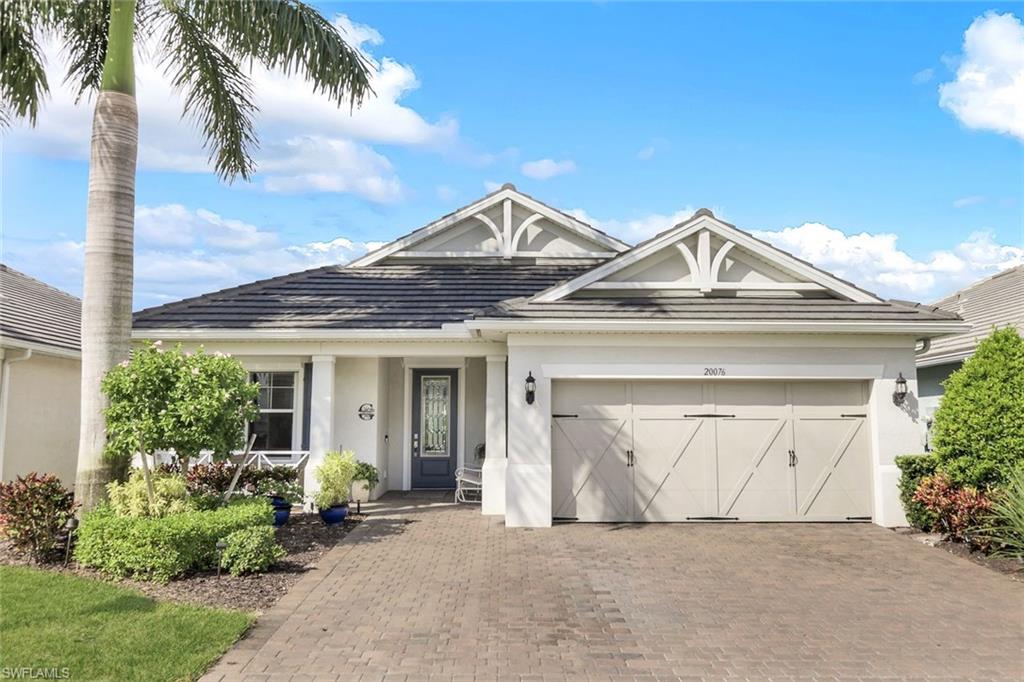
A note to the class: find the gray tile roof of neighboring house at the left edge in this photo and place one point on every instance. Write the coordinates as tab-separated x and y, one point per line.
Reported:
36	315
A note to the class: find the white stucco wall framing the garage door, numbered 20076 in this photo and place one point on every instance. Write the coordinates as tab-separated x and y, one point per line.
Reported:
895	431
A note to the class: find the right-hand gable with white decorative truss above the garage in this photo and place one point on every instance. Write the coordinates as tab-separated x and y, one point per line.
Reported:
705	257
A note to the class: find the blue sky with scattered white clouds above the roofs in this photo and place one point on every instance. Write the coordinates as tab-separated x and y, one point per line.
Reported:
881	142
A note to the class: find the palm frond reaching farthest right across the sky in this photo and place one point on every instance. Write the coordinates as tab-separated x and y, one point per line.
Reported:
289	36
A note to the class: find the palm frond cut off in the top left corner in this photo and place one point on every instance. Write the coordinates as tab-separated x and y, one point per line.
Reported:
23	76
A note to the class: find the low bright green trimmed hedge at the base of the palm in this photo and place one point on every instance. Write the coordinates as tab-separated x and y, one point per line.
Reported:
160	549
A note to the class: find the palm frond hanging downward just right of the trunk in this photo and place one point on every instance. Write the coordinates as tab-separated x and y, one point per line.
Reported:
219	95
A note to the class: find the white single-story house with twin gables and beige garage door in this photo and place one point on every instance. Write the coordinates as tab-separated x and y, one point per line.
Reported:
703	374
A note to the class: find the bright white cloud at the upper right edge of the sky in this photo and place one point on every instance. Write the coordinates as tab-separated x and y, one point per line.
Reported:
989	93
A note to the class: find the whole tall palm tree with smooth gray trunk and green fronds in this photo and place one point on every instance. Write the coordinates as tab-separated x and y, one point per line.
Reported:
205	47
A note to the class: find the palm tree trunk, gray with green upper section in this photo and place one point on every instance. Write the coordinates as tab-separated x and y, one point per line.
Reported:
107	292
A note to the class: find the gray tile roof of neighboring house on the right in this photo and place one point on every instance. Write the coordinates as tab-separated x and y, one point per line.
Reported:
995	303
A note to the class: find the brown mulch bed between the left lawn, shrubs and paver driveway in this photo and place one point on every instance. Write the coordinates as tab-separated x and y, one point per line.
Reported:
306	539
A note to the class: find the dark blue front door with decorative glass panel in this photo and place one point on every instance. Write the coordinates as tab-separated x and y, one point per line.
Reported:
436	397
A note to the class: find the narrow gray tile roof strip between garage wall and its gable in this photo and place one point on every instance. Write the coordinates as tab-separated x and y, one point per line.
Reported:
696	308
